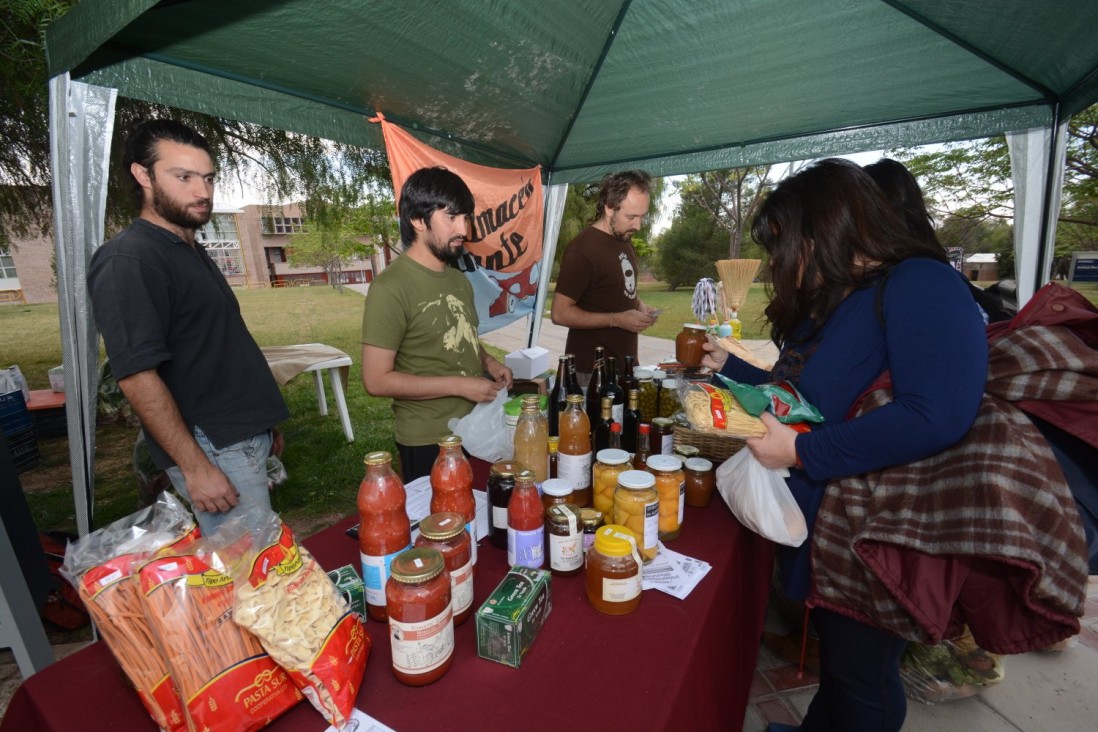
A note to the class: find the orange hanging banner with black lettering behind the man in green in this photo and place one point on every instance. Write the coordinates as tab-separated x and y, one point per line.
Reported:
508	224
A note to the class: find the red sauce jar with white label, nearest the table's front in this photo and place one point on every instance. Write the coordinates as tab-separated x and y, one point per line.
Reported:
421	621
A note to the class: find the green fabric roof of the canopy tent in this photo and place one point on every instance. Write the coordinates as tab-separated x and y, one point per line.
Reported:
586	87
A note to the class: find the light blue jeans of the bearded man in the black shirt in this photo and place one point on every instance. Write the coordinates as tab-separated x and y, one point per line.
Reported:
244	465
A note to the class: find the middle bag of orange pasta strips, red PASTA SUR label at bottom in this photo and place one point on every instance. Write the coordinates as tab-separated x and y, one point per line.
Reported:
228	682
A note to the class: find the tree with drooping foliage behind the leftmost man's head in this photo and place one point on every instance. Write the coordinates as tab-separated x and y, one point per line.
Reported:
284	165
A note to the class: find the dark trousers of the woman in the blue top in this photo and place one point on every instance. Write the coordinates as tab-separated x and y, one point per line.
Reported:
860	686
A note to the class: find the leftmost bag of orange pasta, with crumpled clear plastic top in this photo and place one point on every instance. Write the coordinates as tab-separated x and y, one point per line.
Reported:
102	566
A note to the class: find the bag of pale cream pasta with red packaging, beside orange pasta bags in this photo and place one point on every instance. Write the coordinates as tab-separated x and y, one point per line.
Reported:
289	602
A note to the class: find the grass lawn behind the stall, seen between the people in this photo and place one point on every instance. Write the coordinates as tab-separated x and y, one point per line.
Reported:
324	470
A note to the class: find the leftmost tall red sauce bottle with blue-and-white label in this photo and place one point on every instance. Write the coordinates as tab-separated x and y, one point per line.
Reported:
384	530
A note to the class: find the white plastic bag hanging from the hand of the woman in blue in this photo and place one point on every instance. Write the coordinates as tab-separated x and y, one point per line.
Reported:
760	500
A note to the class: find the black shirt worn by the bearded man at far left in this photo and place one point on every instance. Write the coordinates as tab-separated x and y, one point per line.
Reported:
163	305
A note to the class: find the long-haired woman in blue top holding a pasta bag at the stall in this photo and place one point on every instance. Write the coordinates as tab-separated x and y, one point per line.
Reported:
854	295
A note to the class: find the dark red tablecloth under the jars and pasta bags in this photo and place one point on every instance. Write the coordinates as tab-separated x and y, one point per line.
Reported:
671	665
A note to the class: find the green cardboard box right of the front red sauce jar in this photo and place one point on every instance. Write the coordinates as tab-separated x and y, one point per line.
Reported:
513	615
